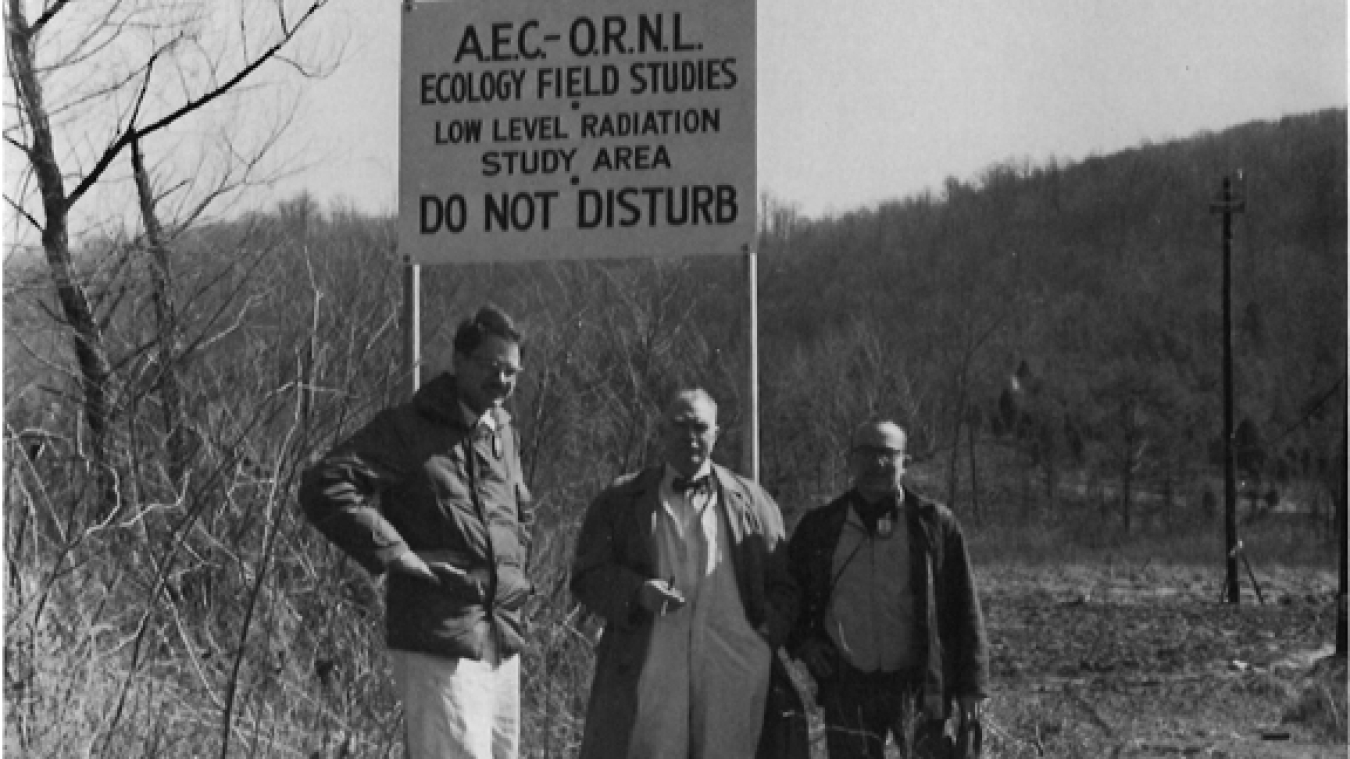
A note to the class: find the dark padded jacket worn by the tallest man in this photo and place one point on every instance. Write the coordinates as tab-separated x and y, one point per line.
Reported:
419	477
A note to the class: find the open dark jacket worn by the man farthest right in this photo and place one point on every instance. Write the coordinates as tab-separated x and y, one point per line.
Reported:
954	656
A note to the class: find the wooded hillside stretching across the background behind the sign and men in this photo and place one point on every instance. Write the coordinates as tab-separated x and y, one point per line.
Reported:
1036	321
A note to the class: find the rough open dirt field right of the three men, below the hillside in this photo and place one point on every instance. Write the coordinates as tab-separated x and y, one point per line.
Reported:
1144	661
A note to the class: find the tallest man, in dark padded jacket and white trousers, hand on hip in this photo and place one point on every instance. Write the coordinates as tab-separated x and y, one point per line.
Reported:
431	494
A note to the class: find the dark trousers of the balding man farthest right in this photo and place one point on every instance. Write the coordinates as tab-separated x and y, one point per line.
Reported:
862	710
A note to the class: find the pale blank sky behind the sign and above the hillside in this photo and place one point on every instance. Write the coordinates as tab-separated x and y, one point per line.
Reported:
867	101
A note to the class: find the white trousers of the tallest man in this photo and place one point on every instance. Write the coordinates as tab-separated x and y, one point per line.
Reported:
460	708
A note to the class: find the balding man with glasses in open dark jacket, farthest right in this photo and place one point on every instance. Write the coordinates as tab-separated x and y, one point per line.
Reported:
890	626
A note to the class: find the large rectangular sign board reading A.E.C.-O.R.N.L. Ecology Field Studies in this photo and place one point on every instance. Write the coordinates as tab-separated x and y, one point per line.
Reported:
595	129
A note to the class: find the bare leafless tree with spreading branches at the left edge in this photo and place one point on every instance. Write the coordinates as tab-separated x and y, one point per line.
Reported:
92	82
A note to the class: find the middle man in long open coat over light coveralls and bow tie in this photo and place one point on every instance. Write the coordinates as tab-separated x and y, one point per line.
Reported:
685	561
